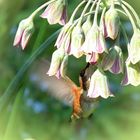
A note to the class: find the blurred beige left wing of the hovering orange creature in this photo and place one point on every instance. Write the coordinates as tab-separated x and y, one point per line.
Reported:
57	88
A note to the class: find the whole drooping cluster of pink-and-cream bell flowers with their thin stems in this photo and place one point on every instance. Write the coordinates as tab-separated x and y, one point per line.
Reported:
86	35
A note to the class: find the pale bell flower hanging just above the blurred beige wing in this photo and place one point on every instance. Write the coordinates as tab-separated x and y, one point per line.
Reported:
58	63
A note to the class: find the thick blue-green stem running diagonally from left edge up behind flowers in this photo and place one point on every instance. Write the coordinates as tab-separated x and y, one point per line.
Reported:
17	81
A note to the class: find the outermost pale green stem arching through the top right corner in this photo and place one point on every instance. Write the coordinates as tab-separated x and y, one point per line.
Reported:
133	11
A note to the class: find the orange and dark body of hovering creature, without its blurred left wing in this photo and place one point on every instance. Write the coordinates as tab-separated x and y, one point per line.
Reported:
83	106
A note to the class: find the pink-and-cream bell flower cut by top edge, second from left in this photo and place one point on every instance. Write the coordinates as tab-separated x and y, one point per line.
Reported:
56	12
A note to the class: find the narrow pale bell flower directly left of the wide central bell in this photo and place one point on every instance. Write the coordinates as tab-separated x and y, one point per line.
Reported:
77	40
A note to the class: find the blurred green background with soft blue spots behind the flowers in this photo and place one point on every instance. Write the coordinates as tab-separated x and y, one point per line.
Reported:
32	113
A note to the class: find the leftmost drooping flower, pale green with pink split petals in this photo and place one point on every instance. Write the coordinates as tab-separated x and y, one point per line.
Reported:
24	32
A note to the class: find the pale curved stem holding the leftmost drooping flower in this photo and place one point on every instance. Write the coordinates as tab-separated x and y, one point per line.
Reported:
40	8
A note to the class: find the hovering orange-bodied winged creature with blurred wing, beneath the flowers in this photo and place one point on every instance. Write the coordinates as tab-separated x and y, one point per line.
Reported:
69	93
